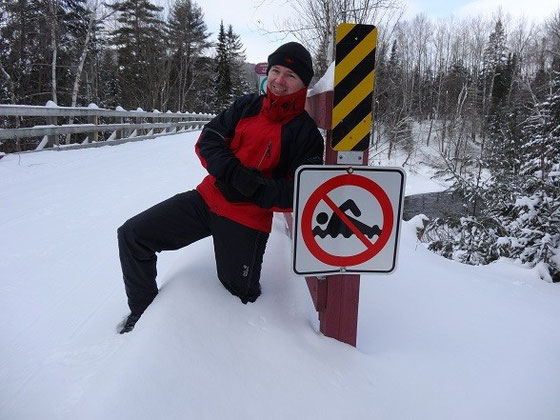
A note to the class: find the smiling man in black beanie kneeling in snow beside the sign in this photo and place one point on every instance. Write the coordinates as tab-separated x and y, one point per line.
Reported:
251	152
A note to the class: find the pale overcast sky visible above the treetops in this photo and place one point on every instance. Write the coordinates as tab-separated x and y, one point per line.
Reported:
247	16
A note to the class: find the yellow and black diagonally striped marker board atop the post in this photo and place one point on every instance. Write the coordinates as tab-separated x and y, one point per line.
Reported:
353	86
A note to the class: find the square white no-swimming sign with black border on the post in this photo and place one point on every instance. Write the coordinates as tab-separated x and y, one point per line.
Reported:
347	219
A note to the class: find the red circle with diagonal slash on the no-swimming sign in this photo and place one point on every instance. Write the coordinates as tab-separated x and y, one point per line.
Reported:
321	194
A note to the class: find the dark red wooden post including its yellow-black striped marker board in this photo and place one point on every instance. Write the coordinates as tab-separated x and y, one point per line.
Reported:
336	297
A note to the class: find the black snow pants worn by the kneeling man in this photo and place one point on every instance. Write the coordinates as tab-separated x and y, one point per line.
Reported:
175	223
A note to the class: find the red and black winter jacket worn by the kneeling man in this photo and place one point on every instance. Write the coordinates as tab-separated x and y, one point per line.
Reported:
273	134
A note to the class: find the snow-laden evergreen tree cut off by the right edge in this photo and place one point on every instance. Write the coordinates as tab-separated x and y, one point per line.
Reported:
534	220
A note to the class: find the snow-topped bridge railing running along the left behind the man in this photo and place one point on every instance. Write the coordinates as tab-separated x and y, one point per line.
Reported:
103	127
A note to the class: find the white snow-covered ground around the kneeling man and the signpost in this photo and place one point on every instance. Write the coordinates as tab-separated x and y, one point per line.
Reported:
436	339
